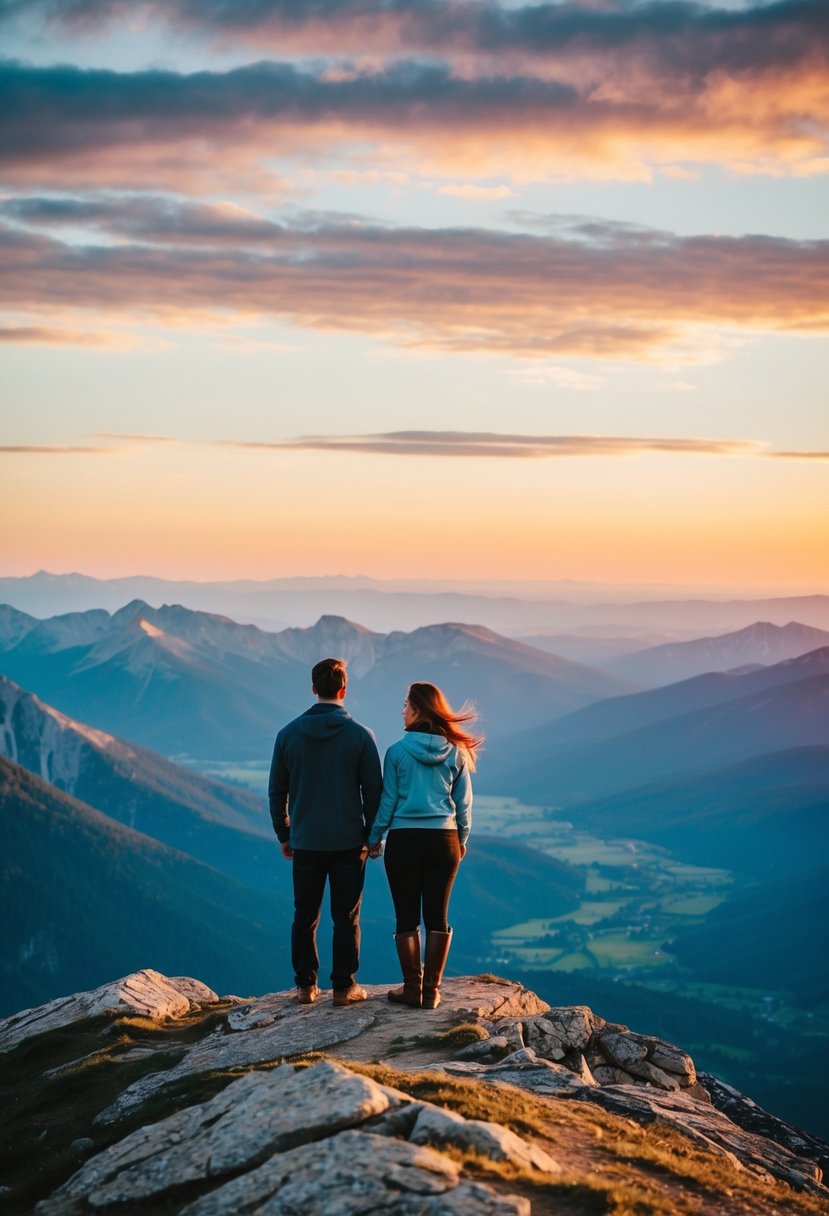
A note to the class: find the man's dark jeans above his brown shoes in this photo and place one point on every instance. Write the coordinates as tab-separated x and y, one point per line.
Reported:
346	871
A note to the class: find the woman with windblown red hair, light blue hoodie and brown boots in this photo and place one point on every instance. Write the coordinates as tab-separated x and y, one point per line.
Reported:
426	809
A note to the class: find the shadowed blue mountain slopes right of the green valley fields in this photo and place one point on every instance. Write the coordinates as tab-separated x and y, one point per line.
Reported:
729	770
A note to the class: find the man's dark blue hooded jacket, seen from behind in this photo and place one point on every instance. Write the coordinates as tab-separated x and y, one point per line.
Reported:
326	781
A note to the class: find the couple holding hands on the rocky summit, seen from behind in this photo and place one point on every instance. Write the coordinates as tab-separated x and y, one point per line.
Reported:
331	809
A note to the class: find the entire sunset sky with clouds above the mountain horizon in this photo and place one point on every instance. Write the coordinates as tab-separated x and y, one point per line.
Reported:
437	289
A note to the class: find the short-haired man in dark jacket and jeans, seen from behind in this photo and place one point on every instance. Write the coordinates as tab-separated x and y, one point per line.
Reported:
324	793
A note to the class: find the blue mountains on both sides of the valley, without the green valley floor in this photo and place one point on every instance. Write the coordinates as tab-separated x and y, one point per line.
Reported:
726	769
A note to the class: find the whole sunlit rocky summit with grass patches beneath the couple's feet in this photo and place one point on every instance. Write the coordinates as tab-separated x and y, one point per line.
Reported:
213	1107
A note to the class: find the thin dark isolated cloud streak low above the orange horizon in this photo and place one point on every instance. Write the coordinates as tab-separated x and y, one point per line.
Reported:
488	444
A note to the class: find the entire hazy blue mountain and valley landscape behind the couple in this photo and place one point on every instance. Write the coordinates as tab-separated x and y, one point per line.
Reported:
673	864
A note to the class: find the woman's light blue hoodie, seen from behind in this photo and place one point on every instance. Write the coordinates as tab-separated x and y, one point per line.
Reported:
426	785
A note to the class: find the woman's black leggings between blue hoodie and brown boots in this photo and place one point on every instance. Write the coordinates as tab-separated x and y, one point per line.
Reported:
421	865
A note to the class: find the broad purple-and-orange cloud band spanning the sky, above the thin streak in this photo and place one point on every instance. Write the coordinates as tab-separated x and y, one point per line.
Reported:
576	289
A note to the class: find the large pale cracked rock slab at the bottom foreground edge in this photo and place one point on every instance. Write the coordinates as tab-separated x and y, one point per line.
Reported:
284	1138
